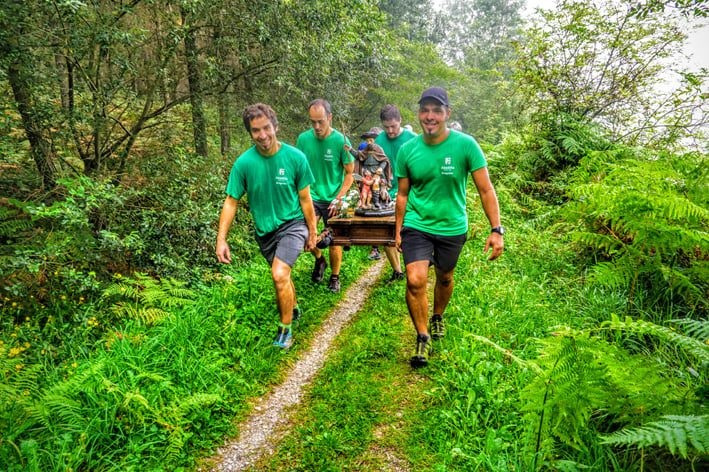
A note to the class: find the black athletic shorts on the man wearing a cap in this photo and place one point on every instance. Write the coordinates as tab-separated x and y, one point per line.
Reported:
441	251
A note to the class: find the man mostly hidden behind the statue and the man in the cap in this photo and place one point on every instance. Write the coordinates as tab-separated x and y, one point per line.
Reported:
391	140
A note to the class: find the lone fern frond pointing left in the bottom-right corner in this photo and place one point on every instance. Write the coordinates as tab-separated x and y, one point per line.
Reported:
679	434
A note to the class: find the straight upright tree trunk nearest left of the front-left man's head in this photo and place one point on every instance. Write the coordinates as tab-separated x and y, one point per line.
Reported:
195	85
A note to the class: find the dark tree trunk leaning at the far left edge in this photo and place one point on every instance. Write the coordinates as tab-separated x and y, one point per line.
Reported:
40	147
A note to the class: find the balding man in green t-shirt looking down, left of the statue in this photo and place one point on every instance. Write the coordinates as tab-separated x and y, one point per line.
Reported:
332	166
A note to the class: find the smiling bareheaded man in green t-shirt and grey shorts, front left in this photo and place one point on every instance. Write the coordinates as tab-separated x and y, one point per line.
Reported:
276	179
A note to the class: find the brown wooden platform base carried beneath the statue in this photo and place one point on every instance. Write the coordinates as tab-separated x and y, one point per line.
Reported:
362	231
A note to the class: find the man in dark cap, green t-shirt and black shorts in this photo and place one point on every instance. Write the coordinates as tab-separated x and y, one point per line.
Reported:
431	218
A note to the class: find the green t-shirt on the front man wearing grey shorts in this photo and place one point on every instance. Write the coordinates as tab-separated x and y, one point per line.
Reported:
271	184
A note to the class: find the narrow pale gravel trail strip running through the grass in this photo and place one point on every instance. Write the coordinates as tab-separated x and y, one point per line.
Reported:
271	416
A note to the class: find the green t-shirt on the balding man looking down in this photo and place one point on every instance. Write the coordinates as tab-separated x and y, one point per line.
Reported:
327	158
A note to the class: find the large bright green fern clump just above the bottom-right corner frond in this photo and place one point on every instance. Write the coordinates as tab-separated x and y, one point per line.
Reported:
584	378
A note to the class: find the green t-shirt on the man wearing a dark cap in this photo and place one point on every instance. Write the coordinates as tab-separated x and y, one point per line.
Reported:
437	177
